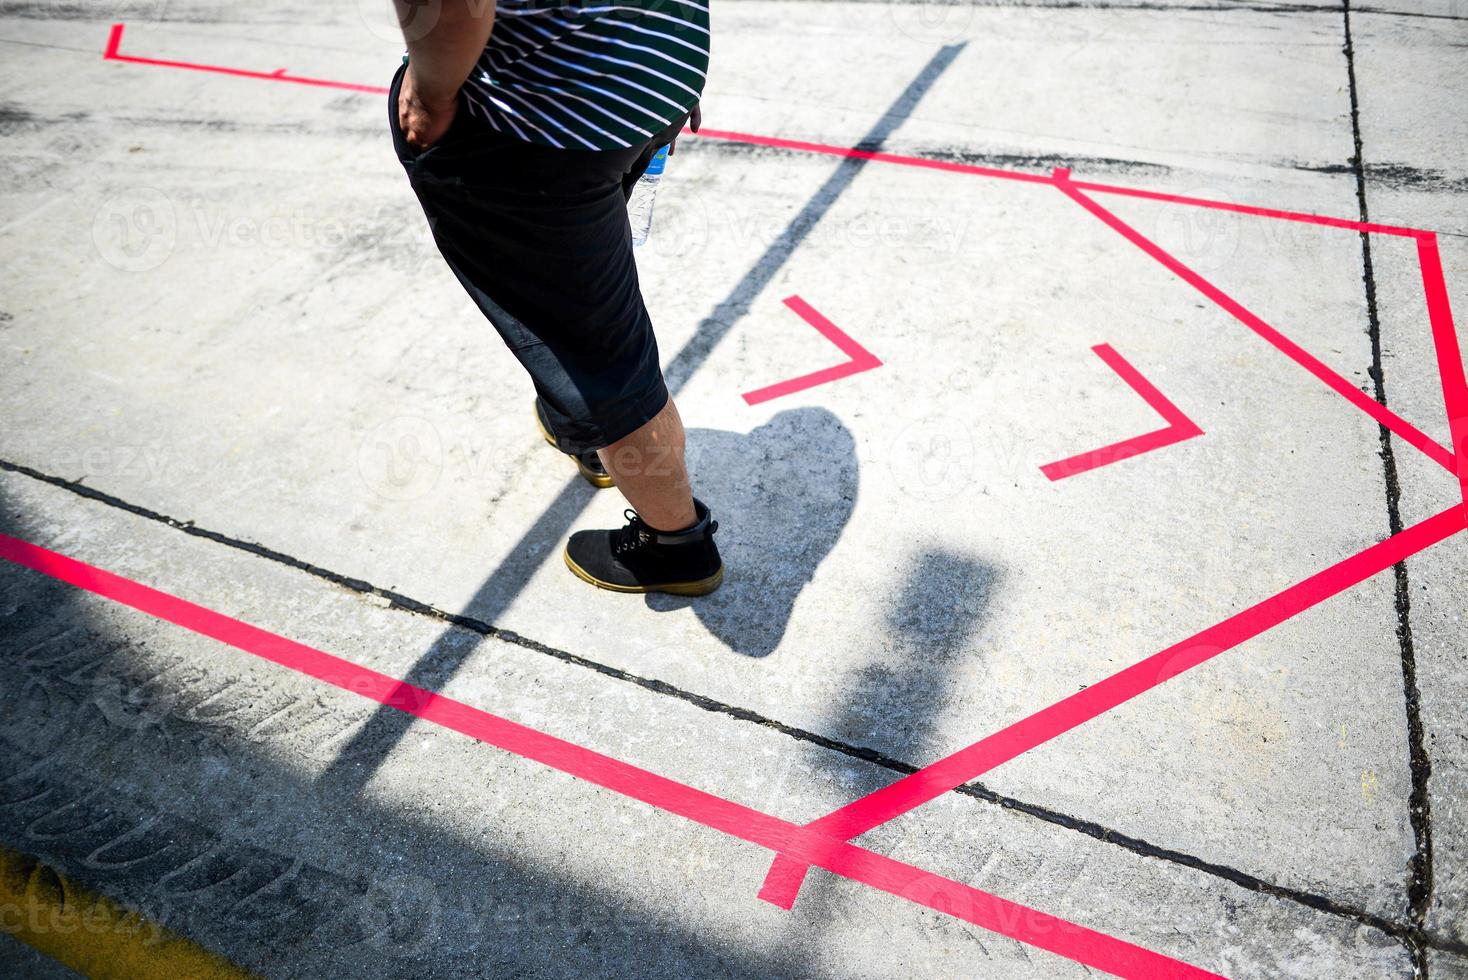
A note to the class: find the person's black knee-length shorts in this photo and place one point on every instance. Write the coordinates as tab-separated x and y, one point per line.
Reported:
541	241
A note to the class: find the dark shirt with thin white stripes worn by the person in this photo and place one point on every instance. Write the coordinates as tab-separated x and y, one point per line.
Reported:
591	74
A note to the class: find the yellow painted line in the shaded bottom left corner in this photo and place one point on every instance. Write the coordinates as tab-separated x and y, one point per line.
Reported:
92	934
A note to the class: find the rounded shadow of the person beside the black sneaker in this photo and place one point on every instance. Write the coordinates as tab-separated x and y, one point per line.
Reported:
786	492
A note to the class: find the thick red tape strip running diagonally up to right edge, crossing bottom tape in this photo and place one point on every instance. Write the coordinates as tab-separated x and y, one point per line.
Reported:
889	803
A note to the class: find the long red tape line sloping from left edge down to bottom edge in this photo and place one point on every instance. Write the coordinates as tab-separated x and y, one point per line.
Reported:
933	891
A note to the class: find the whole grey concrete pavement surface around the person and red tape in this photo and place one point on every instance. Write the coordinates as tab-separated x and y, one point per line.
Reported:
224	309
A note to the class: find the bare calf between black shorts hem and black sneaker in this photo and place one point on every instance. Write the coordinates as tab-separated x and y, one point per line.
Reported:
648	467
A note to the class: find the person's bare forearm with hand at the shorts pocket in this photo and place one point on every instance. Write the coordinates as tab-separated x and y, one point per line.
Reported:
446	39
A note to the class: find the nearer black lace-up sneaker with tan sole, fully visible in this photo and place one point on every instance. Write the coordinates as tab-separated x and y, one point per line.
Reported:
641	560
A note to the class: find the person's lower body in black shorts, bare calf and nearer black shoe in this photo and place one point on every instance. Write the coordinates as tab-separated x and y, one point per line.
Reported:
539	240
